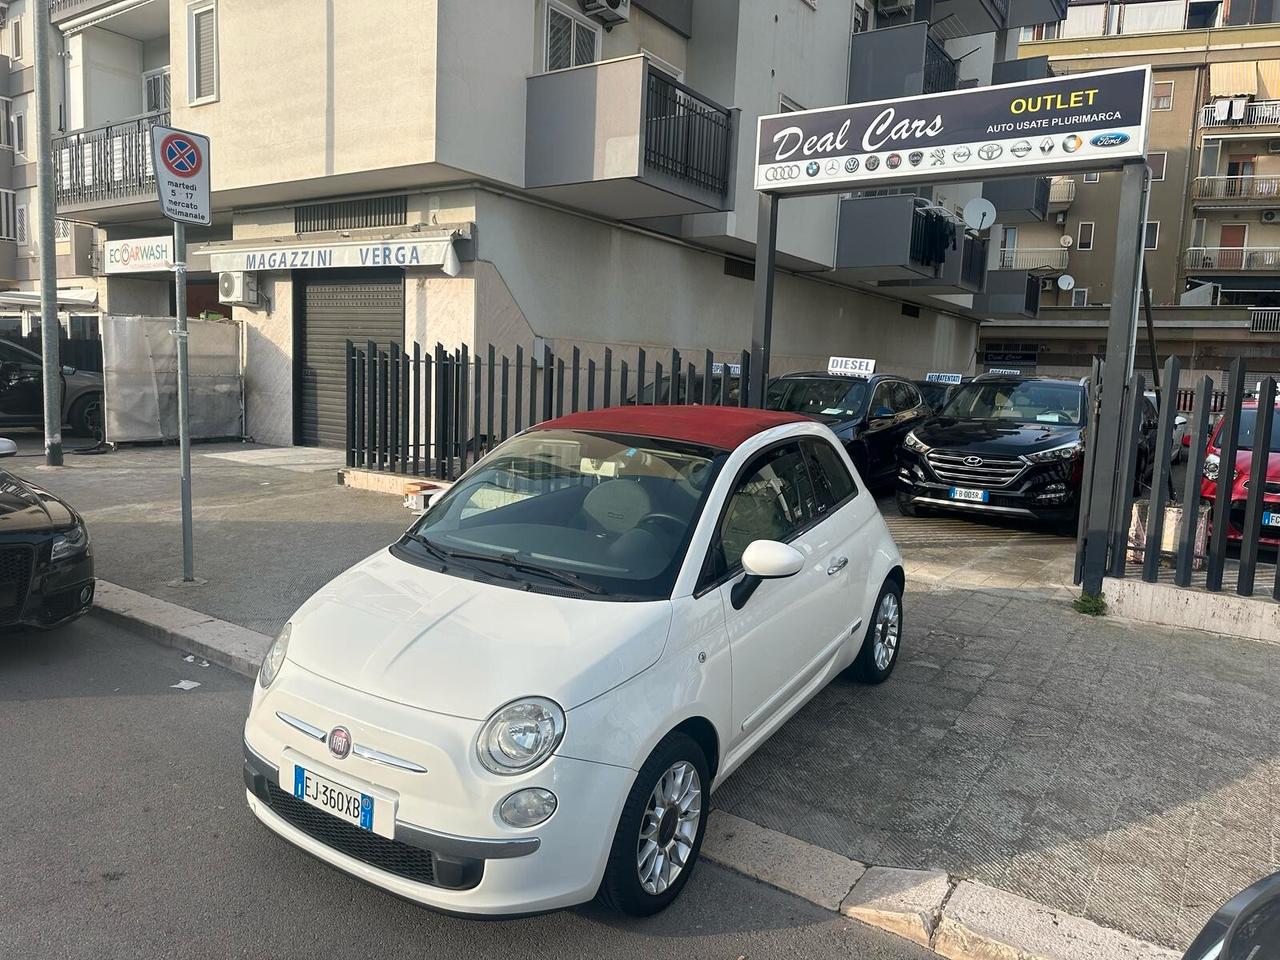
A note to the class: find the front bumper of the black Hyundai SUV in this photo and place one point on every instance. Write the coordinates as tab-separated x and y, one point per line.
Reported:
1041	491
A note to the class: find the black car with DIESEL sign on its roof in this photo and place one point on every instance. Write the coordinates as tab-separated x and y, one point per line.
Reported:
871	415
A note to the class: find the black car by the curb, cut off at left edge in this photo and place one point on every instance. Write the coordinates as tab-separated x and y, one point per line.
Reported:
47	565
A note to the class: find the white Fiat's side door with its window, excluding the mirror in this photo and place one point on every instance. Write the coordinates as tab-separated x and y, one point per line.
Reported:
787	630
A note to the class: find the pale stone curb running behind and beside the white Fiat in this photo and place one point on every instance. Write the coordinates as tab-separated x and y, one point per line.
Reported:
957	918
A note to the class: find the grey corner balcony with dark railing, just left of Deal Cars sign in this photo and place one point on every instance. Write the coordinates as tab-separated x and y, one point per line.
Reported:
627	141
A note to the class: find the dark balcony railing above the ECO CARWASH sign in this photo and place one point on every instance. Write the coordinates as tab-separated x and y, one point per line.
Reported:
107	164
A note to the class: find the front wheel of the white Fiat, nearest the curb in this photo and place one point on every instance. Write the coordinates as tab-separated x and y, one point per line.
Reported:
661	830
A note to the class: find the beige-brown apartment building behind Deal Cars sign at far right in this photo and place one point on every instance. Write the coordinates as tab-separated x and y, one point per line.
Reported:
1213	231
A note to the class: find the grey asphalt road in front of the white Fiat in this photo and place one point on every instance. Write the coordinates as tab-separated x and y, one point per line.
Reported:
129	838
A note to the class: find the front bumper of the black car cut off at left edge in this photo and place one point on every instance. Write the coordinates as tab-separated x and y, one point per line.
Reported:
36	593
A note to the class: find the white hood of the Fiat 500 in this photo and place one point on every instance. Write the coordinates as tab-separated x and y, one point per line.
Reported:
459	647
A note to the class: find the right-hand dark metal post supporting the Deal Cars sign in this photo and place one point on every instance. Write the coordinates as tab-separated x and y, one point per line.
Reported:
1122	341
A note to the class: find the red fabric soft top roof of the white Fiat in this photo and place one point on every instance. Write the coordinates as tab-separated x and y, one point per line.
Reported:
725	428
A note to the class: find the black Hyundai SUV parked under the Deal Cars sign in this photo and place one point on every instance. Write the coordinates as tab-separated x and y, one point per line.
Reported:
1007	446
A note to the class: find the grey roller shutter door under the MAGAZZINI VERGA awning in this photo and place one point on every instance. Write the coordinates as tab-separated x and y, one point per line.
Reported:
336	310
